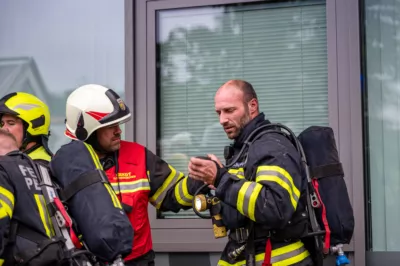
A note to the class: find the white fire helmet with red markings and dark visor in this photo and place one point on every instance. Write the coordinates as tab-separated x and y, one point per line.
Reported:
91	107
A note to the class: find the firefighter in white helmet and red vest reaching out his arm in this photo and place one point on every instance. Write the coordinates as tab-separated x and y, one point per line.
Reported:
93	115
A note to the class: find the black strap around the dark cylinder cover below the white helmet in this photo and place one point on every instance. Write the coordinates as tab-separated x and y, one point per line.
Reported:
83	181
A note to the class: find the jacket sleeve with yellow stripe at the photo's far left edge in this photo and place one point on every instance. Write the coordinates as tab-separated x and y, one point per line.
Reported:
6	207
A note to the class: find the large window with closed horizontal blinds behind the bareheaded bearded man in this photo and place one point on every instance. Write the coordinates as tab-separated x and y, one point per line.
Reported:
279	47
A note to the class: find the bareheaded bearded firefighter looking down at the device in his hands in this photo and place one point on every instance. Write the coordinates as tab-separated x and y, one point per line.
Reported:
262	193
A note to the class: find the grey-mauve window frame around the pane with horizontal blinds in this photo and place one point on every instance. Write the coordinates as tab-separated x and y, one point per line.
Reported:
344	107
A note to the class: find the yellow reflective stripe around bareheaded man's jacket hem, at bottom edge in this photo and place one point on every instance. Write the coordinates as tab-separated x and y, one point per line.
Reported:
287	255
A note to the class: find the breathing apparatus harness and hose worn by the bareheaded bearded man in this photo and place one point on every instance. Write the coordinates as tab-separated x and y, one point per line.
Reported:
201	201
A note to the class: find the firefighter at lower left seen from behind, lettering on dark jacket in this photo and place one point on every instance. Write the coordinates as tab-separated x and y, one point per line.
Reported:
26	231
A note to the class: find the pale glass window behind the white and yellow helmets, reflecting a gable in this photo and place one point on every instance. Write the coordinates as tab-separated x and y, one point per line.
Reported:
49	48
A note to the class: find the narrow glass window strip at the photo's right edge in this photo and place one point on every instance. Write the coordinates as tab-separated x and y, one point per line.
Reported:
382	102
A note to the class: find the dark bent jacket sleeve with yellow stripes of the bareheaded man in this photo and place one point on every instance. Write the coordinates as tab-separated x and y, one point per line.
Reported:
272	196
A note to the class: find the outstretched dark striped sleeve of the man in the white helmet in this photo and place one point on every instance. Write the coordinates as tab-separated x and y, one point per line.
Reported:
170	190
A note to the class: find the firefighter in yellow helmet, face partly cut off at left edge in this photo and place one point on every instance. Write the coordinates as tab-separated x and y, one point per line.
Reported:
28	119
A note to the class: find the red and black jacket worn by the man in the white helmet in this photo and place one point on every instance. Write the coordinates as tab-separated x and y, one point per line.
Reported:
140	177
